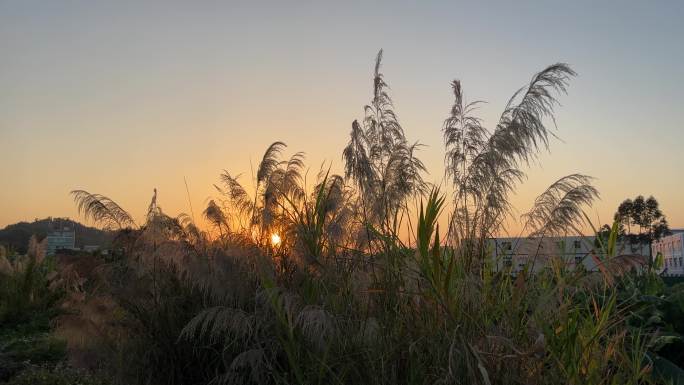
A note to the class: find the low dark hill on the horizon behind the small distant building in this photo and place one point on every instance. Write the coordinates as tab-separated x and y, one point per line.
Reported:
16	236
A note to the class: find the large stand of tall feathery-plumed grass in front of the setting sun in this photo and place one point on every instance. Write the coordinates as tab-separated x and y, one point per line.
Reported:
345	299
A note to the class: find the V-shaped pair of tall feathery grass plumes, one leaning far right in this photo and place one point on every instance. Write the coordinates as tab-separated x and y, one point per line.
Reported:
485	166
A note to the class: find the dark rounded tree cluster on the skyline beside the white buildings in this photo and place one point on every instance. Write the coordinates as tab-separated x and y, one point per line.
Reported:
641	220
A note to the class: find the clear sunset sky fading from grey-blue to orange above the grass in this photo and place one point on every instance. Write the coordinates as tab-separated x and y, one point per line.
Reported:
120	98
